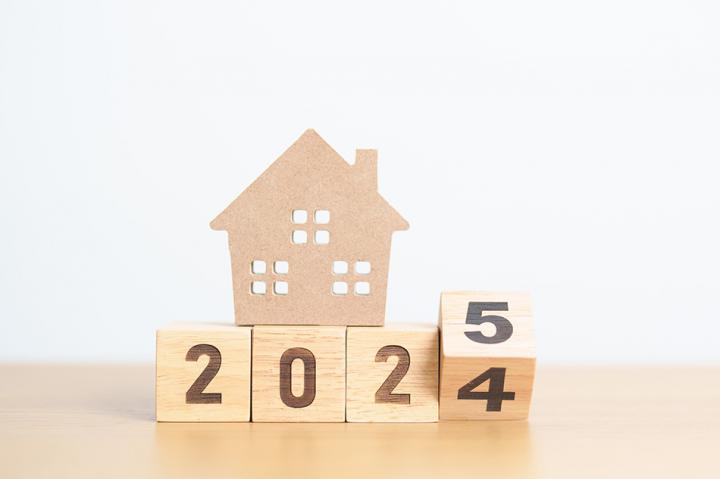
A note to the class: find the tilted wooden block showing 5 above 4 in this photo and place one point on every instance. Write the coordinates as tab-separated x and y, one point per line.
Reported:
487	361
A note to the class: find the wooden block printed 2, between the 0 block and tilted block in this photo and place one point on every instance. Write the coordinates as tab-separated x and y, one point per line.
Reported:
392	373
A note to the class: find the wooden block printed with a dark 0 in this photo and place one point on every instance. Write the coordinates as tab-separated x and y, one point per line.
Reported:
298	374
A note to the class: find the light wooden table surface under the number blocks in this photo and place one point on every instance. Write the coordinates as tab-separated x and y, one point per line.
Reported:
98	421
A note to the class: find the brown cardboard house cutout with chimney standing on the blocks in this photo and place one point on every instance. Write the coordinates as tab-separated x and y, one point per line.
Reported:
310	240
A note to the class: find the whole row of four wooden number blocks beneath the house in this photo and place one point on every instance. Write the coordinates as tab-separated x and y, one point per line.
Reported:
480	364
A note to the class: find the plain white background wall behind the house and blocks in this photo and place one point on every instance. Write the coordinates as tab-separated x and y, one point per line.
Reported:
566	148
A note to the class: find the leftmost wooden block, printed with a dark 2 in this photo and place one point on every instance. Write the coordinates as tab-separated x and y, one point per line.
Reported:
203	373
